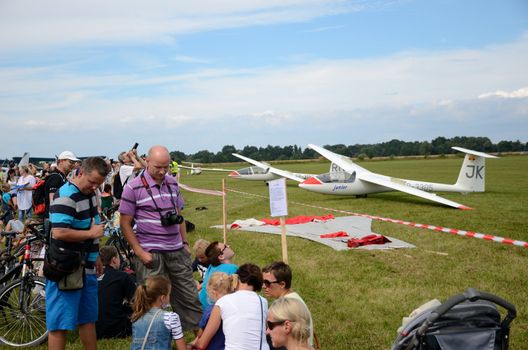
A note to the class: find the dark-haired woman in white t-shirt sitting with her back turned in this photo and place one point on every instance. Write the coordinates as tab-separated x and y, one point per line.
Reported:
242	314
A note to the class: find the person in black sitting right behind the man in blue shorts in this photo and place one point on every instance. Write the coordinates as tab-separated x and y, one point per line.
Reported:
115	292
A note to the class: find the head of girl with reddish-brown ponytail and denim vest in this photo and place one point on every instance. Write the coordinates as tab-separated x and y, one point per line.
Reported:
148	293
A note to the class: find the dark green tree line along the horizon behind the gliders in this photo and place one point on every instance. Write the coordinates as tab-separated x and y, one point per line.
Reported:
392	148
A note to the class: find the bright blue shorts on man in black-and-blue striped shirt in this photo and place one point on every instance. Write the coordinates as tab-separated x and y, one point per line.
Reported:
65	310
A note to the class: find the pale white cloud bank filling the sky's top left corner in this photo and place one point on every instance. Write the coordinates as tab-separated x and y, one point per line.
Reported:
30	24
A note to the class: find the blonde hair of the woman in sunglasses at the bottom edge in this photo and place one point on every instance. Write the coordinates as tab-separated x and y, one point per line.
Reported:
295	311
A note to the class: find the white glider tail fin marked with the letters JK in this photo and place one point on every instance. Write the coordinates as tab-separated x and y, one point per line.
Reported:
472	176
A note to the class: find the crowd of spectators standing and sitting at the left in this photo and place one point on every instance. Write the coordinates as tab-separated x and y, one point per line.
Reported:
222	307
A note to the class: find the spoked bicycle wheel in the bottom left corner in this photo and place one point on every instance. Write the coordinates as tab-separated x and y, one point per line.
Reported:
23	313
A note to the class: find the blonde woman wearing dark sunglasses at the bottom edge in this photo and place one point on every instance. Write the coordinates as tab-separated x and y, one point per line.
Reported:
288	324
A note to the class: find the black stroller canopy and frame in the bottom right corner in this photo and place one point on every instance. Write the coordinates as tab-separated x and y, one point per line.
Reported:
468	321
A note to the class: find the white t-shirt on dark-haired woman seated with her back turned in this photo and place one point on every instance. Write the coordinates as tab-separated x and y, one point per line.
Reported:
244	316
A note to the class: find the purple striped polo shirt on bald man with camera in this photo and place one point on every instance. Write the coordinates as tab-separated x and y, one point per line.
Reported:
136	202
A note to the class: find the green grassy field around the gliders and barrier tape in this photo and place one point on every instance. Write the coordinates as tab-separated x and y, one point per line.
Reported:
358	298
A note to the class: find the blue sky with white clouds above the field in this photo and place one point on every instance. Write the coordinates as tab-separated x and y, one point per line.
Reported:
94	77
